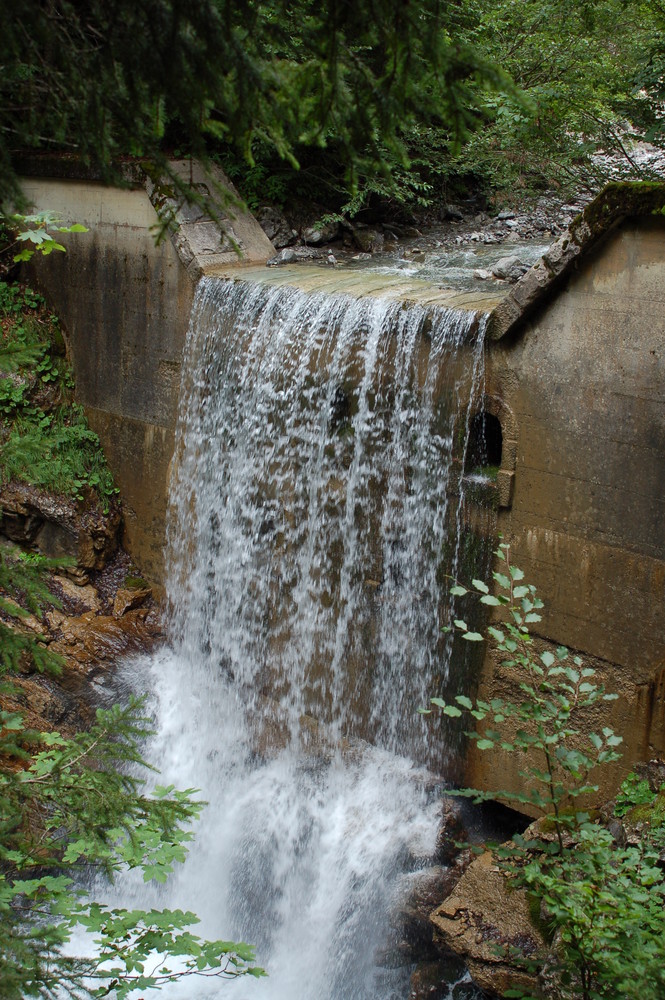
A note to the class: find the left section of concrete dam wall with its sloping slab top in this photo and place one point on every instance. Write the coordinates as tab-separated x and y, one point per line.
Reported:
125	302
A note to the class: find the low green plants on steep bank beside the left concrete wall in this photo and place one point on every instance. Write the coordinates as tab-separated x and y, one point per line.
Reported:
44	436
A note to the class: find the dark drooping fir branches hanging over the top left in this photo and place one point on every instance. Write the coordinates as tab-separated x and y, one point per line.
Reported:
105	80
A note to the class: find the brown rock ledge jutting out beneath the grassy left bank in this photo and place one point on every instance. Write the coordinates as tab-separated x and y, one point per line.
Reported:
59	526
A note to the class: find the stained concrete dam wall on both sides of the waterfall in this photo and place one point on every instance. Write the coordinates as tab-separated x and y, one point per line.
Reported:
575	379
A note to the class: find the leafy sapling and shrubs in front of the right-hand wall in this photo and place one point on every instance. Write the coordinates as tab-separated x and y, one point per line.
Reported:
602	903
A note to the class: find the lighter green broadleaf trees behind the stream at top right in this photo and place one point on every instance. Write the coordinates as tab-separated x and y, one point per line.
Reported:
587	79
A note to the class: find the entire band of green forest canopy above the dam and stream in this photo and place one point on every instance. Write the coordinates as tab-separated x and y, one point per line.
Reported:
337	98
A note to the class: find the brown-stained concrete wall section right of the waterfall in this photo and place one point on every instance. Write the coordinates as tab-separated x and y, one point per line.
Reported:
584	381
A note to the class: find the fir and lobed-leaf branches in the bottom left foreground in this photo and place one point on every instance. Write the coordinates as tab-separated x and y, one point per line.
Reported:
72	807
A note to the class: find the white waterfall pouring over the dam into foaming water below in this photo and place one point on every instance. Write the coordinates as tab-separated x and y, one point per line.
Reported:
315	511
